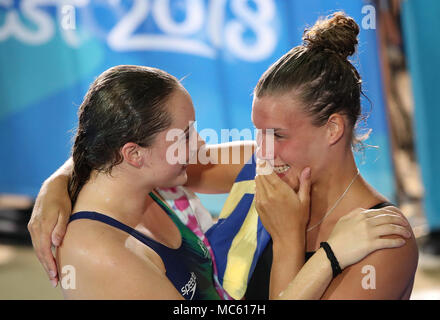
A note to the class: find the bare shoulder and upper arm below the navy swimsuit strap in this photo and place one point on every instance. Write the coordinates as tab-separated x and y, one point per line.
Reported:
96	259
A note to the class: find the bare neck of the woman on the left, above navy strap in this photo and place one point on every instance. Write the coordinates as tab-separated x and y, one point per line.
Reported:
115	195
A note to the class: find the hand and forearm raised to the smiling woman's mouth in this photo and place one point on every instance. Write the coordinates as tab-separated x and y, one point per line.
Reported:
286	222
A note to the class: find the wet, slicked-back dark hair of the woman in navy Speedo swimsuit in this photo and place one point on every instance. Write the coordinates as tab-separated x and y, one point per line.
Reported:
124	104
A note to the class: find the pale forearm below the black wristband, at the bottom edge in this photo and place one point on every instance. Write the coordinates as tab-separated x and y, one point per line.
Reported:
311	281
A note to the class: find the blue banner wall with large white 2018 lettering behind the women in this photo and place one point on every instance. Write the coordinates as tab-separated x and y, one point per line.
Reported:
221	47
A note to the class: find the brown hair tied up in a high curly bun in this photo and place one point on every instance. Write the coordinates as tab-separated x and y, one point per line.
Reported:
319	73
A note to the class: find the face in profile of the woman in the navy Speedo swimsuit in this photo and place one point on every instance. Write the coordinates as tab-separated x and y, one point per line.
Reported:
167	158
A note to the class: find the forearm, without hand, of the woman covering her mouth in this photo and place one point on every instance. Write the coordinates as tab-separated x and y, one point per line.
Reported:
288	259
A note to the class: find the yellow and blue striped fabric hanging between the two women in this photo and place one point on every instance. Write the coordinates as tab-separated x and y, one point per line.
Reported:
238	238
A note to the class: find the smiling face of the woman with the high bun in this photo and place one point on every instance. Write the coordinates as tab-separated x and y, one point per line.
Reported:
297	143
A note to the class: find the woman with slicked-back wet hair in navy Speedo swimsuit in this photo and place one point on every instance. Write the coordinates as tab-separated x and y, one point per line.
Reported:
119	159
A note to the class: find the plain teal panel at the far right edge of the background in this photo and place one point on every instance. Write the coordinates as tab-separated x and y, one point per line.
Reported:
421	27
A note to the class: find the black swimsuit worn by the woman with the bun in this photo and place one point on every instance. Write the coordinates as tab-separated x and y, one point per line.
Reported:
258	286
